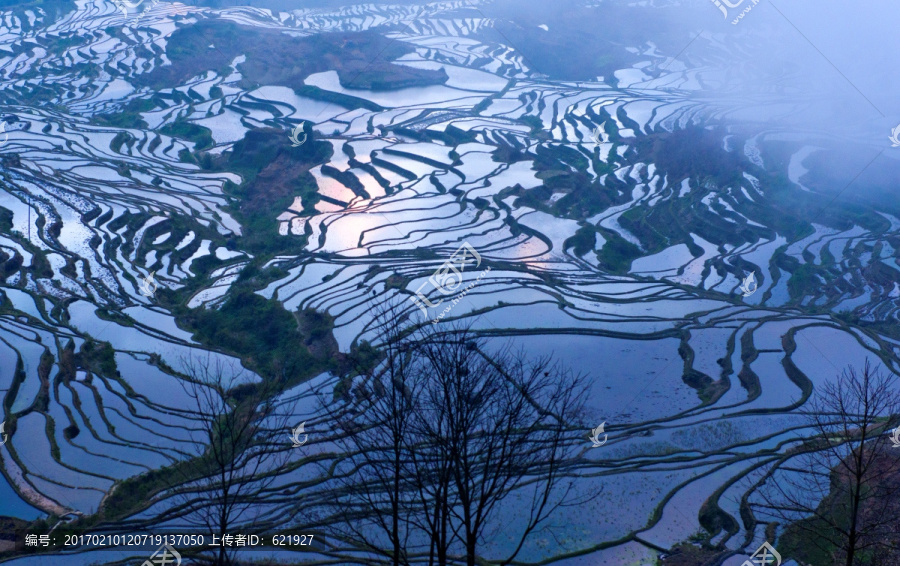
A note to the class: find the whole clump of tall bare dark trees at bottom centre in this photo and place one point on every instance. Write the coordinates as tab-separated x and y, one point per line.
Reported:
445	431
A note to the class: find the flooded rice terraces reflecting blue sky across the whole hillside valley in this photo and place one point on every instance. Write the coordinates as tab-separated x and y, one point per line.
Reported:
700	386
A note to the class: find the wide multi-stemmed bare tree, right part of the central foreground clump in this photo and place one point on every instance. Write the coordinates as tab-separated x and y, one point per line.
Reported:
500	423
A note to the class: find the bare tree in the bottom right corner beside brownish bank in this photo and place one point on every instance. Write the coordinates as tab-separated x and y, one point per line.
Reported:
841	487
